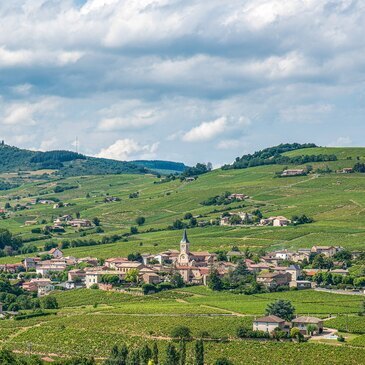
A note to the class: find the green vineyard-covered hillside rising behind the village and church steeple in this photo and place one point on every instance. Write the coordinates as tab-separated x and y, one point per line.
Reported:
335	201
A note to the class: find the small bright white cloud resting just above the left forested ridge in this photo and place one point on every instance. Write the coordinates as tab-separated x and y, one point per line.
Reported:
128	149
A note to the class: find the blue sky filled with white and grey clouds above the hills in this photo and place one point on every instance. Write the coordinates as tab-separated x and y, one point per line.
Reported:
181	80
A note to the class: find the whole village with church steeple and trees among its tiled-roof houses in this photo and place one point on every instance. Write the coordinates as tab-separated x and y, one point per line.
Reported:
274	271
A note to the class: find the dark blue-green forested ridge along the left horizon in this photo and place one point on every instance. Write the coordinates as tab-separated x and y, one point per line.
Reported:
68	163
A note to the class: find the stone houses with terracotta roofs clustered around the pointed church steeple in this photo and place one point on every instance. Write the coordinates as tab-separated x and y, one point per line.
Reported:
194	267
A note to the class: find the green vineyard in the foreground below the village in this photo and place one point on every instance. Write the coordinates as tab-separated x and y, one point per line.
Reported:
92	321
